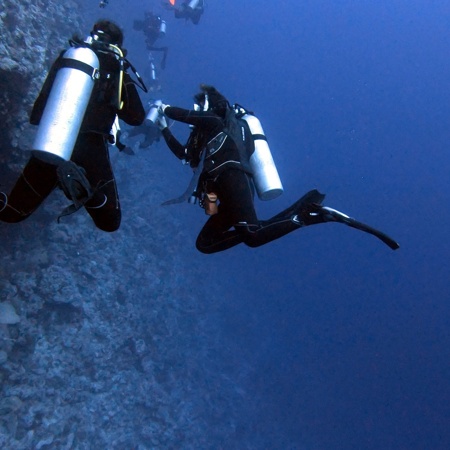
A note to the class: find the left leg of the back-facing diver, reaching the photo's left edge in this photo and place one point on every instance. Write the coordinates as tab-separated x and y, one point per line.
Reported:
35	183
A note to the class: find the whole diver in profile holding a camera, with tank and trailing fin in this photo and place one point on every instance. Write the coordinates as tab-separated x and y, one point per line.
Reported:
225	178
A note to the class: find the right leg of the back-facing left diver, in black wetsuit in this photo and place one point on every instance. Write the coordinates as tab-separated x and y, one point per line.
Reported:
91	152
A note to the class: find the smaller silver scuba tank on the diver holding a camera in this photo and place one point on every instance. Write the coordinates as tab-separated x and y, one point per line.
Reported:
265	174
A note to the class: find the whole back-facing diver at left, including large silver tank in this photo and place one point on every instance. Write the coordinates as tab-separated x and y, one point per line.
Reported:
86	90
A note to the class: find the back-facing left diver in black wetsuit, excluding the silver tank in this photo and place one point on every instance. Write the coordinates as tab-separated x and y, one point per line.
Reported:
87	178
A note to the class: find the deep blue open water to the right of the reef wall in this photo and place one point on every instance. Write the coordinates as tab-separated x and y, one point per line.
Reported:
348	341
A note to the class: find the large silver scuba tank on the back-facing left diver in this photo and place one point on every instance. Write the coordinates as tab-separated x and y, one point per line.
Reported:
66	105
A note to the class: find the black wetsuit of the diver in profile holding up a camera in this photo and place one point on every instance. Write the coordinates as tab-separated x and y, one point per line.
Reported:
228	175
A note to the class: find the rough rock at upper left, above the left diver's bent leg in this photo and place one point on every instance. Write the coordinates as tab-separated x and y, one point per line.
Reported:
33	33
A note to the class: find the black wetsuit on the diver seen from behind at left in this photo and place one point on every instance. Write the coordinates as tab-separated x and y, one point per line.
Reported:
90	152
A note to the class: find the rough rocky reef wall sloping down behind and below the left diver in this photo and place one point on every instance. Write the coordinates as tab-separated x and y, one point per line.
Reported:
116	346
